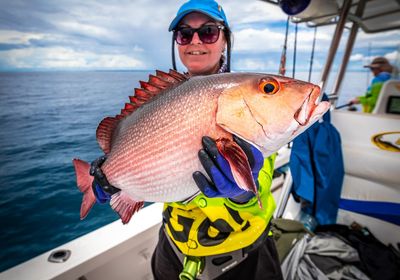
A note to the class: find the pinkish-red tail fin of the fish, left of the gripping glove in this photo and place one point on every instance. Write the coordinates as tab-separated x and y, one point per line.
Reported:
84	182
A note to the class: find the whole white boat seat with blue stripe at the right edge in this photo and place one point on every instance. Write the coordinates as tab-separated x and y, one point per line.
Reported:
371	188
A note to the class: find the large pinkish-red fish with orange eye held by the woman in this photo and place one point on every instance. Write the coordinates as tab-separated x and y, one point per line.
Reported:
152	145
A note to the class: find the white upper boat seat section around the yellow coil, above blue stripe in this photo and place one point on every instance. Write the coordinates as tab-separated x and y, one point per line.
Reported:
361	157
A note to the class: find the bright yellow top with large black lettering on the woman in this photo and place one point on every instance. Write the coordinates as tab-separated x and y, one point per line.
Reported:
210	226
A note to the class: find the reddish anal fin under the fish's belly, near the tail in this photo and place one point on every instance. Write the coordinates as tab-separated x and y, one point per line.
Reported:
125	206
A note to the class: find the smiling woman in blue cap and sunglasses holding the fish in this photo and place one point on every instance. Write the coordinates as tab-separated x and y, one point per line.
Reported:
222	233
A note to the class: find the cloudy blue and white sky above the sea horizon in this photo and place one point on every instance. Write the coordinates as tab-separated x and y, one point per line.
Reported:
133	35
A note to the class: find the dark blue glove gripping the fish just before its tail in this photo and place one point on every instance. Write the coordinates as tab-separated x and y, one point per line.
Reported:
101	187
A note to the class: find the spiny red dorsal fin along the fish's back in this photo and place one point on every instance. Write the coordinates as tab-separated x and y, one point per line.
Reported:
158	83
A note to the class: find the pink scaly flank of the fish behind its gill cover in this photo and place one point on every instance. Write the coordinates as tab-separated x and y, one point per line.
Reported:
147	136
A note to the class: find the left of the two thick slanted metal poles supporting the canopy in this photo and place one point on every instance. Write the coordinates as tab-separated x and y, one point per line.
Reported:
335	43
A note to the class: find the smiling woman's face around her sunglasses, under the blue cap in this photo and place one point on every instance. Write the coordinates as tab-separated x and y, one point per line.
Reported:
198	57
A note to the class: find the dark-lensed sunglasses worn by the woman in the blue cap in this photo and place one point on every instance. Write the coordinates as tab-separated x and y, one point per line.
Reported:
208	34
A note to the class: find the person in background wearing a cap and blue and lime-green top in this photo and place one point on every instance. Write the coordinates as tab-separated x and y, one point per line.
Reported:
382	71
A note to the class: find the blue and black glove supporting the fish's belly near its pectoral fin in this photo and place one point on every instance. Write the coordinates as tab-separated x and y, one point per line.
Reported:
222	183
